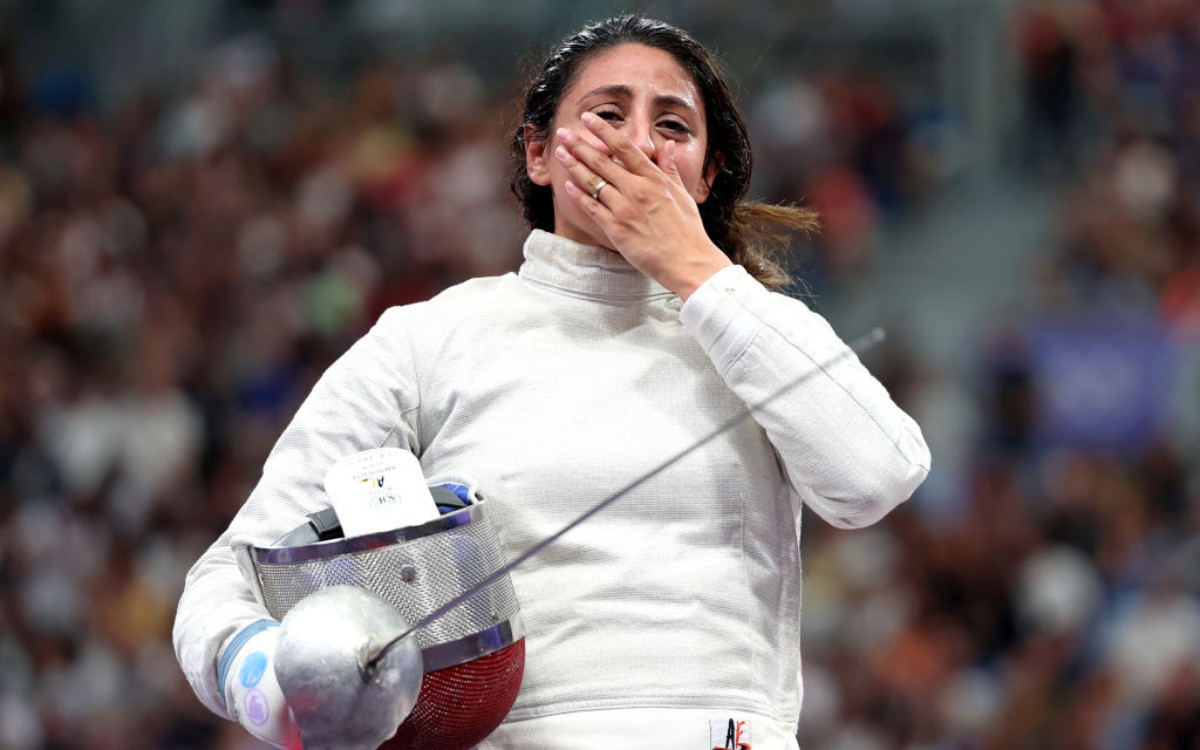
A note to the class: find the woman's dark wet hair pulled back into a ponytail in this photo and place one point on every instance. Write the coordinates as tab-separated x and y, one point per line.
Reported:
743	231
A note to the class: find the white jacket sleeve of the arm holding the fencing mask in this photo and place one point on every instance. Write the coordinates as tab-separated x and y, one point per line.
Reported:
368	399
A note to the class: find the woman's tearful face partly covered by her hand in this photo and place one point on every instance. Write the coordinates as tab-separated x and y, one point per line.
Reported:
646	95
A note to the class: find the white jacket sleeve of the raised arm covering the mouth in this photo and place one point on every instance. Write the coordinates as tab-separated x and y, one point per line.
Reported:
850	453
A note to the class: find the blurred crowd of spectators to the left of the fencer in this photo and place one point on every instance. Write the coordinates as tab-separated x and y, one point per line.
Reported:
175	279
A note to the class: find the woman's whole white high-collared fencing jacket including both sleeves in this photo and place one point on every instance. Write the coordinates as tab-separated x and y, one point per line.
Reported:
554	388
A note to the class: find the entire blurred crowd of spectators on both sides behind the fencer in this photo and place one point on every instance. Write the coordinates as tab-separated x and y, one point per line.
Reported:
178	271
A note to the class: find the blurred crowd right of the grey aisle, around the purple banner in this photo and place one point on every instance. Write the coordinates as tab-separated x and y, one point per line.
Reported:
1054	602
